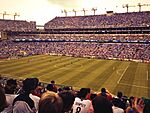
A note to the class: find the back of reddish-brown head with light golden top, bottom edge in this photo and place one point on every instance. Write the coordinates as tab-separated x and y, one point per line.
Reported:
50	102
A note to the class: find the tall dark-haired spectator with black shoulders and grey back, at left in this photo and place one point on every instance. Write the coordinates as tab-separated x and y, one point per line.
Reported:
23	102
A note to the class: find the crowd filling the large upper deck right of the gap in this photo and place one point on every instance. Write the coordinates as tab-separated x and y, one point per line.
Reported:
133	19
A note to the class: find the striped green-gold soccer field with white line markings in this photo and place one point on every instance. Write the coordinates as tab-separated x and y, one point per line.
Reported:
132	78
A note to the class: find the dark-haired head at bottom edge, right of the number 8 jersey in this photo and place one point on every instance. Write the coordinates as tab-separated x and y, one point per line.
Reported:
101	105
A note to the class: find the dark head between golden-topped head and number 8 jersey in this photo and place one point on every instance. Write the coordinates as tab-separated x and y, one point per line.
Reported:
68	100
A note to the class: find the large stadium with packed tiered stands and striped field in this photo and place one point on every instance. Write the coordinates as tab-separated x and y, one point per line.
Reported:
109	51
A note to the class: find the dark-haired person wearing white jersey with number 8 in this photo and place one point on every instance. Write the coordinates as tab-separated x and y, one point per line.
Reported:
81	104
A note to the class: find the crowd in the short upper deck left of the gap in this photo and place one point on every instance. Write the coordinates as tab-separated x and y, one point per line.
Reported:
17	25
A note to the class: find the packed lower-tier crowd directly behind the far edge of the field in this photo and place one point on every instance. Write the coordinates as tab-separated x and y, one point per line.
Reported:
130	51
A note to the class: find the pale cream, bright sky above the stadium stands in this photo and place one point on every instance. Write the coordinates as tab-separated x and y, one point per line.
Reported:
43	11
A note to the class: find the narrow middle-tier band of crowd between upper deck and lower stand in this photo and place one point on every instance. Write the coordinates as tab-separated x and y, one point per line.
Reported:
80	37
